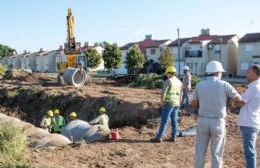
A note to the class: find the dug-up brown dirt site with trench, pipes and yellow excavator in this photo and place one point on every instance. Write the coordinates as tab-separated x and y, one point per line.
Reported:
134	111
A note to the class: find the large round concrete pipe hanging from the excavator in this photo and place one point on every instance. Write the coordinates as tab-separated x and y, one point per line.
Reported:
73	76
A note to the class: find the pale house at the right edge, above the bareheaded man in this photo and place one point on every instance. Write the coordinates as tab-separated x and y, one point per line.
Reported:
248	52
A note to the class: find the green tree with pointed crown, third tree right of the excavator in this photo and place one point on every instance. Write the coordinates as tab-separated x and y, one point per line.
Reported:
135	58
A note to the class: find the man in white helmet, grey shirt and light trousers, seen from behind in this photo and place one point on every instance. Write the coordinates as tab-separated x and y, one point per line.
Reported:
211	97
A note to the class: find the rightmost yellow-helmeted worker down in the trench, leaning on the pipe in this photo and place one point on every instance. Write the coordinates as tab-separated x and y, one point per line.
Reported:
102	120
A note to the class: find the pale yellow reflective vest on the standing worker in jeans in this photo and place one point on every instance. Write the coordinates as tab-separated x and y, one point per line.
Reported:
174	92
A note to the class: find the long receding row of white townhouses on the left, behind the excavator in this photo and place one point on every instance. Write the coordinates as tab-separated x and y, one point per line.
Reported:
44	61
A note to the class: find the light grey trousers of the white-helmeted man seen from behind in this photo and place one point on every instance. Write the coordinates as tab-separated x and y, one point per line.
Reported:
213	130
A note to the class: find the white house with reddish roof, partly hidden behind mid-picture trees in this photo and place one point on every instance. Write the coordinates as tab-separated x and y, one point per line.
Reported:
150	48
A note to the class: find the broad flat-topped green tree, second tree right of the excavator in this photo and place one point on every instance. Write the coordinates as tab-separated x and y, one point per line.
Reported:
111	56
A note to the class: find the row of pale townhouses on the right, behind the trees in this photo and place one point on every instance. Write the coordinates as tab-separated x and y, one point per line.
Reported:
235	54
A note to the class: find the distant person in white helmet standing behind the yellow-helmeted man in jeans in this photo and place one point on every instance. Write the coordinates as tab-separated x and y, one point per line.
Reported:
186	84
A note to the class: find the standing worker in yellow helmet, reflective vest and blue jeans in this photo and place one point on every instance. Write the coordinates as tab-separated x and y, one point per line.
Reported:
170	99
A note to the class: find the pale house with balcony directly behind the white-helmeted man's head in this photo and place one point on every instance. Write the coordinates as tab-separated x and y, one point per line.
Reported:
197	51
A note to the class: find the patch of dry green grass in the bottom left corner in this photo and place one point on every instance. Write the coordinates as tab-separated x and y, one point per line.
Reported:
13	147
